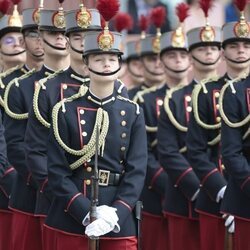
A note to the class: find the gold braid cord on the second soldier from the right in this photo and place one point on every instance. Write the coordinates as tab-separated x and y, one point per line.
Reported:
195	96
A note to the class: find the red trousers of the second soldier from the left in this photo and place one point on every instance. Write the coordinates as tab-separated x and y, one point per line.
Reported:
26	232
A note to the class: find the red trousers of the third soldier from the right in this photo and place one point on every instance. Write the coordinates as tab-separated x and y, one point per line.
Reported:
183	233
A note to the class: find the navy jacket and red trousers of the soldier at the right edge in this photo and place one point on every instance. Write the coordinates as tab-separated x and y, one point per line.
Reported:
235	152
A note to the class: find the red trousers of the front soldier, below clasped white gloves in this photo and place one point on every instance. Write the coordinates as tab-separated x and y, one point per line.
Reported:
56	240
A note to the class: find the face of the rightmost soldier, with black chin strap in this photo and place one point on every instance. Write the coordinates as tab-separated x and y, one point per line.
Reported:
237	51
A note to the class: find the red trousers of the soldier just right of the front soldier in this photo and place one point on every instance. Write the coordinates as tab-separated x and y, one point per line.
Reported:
154	232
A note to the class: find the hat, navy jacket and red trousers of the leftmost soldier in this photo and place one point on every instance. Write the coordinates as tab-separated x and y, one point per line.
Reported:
8	173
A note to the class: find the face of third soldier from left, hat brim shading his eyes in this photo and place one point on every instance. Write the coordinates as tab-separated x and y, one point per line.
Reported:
56	39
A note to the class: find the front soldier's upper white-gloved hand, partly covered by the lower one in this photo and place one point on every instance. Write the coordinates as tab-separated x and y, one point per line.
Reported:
104	212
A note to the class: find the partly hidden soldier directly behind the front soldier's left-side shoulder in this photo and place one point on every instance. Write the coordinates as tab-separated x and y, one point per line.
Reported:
51	91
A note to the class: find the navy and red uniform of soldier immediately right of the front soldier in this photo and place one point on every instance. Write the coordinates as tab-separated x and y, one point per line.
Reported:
151	100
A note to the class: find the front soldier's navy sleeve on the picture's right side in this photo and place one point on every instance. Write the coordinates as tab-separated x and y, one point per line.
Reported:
135	170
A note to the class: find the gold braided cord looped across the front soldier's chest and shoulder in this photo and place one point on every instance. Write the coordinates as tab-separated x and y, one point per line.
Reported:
88	150
